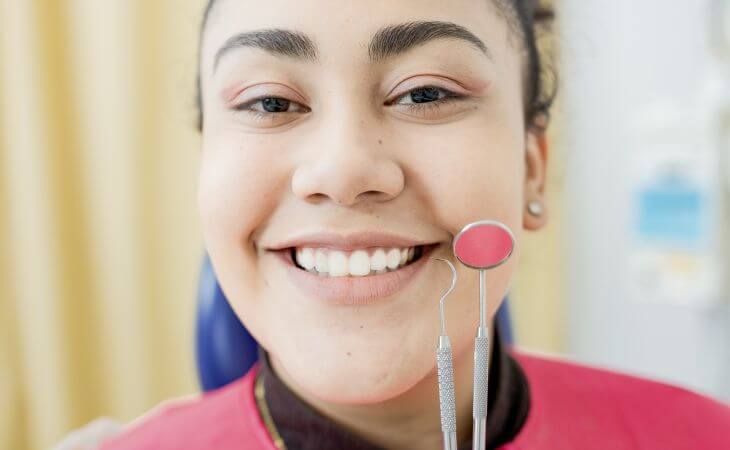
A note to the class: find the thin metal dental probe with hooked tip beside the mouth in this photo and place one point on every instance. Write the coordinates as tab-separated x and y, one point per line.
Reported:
447	397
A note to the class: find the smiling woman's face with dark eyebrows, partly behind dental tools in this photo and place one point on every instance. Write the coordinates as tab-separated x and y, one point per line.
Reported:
377	126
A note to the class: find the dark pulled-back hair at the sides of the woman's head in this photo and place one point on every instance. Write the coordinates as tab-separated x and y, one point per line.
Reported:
527	18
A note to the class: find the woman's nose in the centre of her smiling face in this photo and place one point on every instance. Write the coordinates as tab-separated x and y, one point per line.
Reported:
348	165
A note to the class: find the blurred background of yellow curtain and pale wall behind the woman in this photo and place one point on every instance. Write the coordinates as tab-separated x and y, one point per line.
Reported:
100	248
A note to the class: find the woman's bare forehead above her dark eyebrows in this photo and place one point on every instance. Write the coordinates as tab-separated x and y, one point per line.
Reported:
345	31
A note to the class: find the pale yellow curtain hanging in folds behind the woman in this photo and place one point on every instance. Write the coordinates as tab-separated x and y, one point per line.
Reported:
99	238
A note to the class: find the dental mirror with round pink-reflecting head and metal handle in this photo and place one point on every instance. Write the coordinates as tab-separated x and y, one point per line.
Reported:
482	245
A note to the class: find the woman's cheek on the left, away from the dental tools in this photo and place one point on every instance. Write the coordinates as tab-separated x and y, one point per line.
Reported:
239	185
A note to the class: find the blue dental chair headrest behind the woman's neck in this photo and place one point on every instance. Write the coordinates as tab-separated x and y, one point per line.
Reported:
225	350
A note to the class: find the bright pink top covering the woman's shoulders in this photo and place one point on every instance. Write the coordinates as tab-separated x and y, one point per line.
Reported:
572	406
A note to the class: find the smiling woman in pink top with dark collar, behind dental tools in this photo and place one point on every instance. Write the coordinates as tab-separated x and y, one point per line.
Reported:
334	133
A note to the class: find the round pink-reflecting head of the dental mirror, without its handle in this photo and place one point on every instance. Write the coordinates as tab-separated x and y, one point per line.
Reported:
484	244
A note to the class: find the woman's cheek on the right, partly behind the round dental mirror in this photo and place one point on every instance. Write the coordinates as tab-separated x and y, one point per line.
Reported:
477	175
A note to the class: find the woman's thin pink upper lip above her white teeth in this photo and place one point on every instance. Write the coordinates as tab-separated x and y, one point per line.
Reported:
348	242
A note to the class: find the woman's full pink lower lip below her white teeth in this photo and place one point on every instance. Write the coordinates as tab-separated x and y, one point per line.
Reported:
350	290
